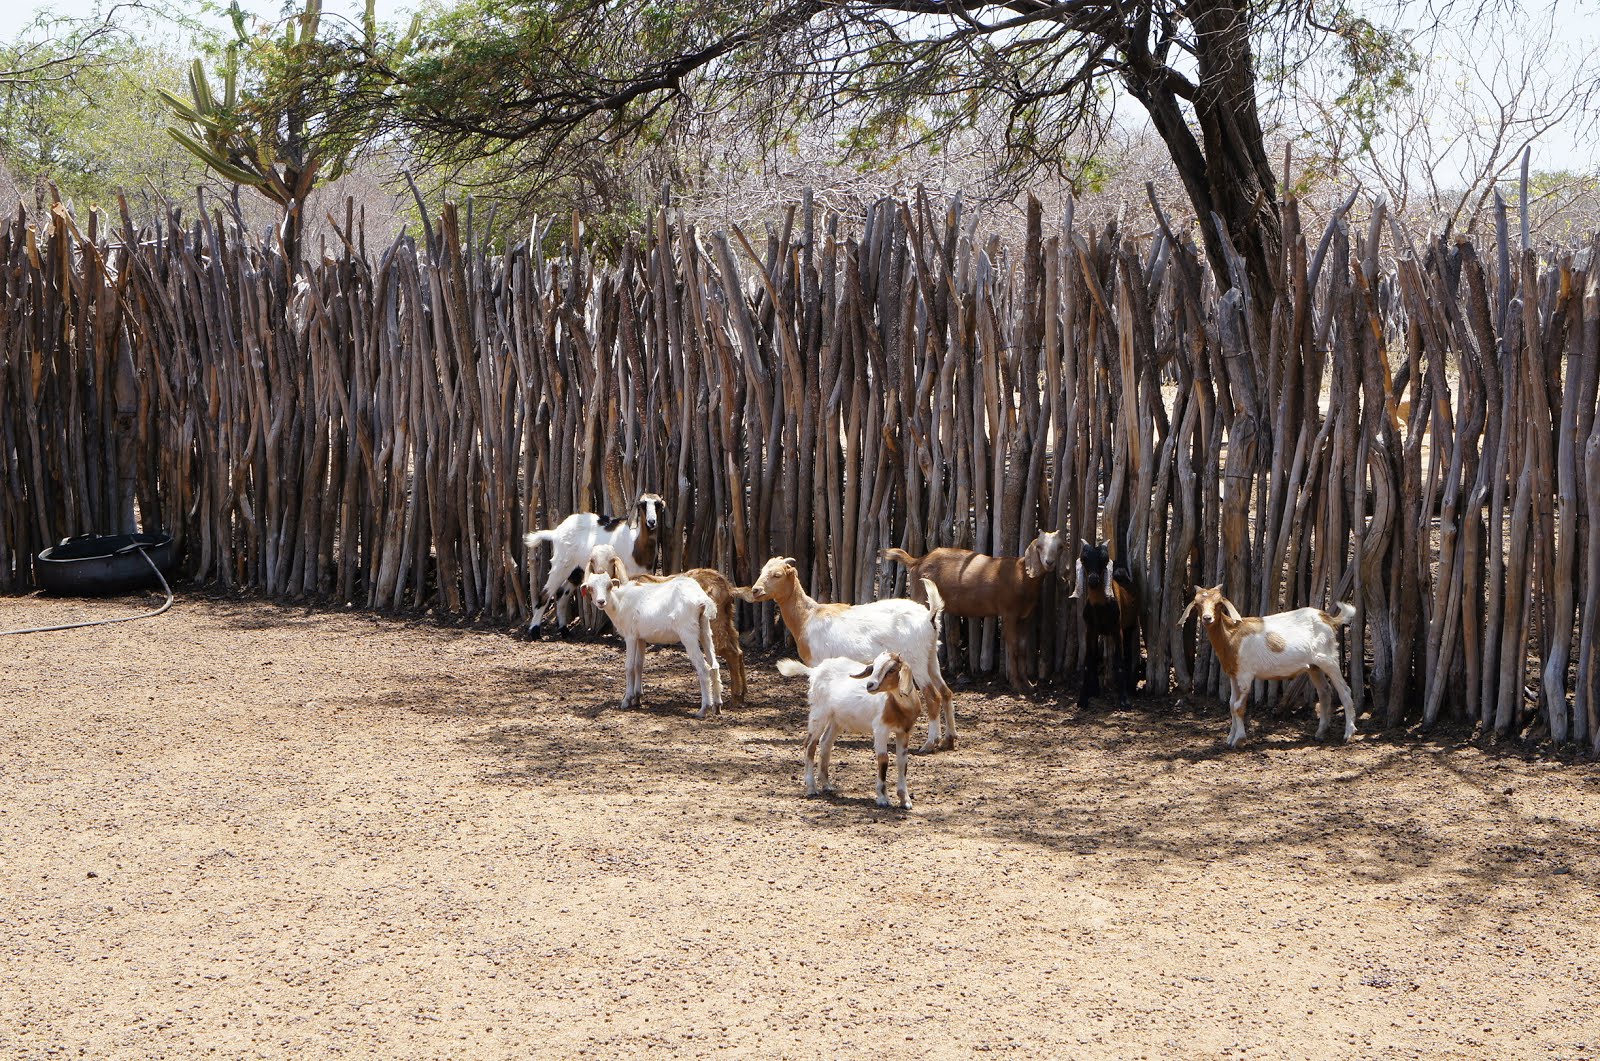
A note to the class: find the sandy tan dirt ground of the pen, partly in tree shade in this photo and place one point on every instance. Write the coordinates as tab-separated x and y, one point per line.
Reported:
250	831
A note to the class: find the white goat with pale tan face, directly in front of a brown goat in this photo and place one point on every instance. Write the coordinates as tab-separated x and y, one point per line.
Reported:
660	614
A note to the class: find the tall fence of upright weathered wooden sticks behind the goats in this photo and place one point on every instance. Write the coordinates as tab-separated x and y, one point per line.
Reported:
1420	439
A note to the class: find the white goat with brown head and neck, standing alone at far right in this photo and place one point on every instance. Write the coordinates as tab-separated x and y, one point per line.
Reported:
1282	646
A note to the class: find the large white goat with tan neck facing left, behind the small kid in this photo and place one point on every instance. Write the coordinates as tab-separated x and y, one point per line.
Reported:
863	631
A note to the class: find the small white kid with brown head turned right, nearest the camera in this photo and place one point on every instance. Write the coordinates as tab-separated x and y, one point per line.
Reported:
881	702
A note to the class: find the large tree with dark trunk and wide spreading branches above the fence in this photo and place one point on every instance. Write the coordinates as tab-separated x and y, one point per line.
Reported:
561	81
